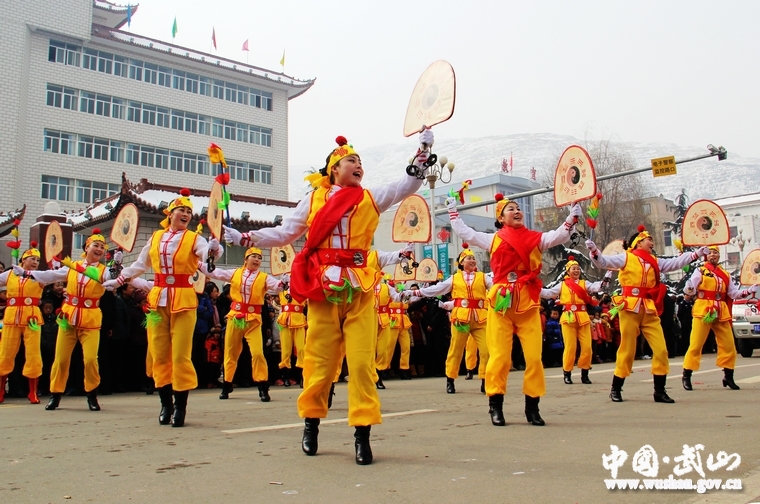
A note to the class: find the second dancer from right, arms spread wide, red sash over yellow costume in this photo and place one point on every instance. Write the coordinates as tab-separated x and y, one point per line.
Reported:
639	306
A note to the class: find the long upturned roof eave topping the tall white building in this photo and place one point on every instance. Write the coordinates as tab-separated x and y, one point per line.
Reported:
295	87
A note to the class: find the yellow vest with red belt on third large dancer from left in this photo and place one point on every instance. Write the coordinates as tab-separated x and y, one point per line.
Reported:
184	262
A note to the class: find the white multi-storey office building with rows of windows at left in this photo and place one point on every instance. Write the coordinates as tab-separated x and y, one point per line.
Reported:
85	102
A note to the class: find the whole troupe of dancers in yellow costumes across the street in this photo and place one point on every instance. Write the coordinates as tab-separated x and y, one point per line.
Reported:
334	274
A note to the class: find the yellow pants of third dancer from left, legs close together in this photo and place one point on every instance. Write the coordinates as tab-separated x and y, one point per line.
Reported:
171	344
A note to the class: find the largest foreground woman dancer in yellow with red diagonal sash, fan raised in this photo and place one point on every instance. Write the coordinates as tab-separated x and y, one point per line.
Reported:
331	272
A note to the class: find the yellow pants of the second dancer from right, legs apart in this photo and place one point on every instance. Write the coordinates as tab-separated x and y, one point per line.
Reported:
648	324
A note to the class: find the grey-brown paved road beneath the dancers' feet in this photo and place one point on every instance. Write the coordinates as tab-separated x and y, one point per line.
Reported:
436	448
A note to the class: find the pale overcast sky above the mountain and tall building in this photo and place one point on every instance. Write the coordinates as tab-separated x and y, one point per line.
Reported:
675	71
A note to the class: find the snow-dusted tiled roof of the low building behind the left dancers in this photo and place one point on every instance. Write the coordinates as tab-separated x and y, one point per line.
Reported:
246	212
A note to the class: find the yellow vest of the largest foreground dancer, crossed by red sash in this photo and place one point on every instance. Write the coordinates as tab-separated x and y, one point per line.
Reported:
362	222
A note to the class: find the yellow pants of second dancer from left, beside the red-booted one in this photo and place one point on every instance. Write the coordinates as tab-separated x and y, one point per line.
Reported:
64	345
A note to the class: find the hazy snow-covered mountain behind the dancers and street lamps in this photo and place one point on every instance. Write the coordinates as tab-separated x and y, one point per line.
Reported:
478	157
